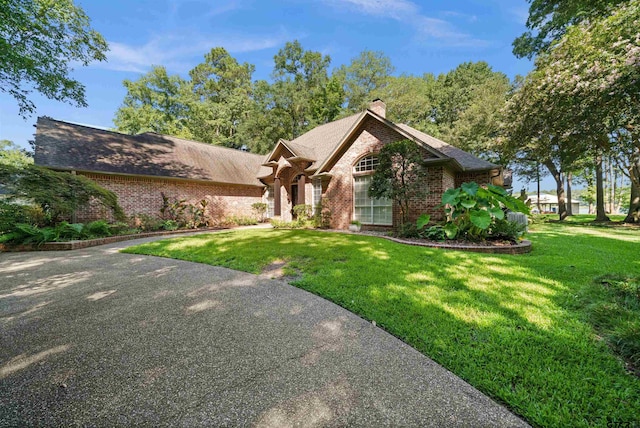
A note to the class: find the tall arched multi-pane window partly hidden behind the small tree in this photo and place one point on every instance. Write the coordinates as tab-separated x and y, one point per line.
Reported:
368	210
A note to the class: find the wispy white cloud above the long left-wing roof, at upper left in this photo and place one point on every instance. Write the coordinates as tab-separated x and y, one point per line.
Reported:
180	53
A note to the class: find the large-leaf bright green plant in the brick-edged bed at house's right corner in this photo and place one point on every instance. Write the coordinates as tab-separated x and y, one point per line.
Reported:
472	209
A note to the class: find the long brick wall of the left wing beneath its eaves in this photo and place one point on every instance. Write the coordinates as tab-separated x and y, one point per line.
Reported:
142	195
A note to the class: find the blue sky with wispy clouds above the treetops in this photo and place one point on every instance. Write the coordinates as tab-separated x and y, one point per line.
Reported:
419	36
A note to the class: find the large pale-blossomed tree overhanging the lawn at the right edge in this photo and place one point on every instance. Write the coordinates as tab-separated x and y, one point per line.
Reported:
584	92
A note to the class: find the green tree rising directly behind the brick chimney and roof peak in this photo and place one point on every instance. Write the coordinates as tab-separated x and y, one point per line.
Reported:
368	72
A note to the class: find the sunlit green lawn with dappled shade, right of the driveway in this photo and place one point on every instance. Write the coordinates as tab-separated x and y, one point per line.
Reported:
538	332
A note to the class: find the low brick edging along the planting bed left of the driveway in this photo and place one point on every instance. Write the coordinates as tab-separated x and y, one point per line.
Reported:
76	245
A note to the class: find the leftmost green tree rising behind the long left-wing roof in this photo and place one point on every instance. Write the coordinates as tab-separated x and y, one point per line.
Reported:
157	102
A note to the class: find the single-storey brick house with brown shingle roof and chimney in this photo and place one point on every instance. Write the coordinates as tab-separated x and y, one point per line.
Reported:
333	162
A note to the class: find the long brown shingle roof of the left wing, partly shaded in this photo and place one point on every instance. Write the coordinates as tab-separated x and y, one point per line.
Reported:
63	145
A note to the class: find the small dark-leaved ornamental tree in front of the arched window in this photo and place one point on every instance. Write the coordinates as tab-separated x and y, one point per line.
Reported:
400	175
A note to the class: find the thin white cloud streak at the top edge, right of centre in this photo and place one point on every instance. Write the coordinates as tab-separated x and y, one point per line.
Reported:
409	13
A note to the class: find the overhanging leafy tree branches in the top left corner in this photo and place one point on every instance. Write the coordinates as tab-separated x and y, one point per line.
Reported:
40	41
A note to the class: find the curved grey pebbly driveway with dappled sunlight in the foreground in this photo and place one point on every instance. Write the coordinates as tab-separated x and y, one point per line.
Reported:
98	338
